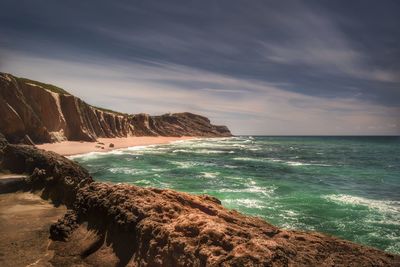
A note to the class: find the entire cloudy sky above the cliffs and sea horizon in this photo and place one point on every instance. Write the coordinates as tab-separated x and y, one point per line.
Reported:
260	67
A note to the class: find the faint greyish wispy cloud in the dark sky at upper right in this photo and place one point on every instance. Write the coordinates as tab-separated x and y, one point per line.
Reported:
315	41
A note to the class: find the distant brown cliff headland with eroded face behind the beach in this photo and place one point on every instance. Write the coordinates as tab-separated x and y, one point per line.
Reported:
36	112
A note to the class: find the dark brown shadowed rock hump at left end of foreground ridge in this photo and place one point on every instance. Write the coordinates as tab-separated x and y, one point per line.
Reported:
55	176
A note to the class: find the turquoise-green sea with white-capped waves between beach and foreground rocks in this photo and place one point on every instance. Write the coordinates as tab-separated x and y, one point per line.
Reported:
344	186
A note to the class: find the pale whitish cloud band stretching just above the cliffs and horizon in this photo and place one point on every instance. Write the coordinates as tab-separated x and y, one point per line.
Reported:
252	107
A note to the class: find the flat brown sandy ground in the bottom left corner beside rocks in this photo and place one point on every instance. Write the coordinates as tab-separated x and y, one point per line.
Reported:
25	221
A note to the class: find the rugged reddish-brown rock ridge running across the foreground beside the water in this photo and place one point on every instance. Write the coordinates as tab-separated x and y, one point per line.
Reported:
124	225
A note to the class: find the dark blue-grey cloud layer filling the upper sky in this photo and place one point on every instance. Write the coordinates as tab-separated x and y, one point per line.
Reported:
329	49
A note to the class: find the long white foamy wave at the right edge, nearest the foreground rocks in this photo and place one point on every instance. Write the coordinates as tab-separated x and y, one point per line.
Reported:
387	206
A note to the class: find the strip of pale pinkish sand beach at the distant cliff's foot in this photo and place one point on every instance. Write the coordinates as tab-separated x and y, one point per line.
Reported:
69	148
